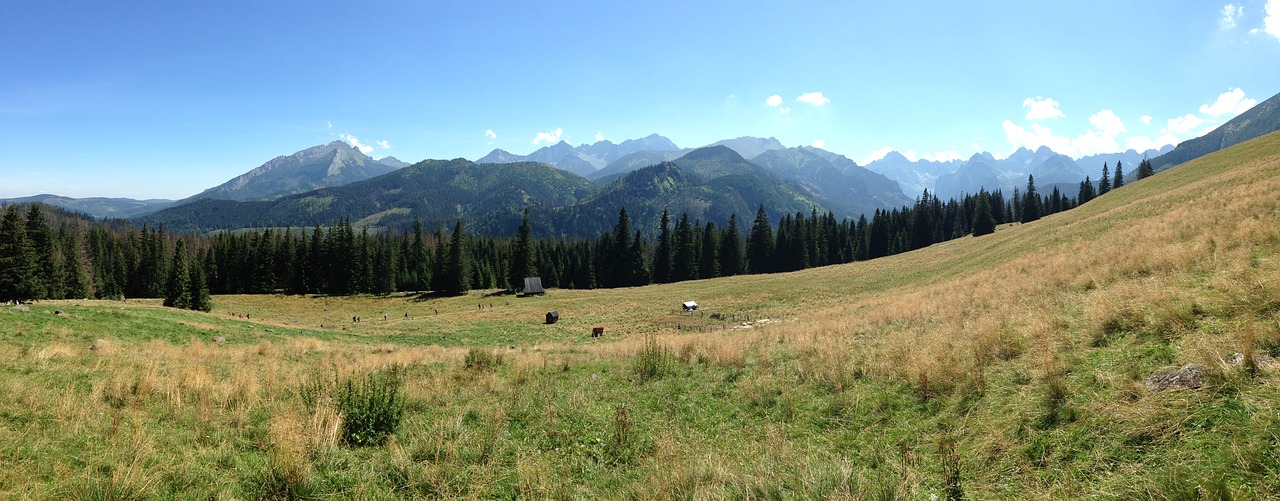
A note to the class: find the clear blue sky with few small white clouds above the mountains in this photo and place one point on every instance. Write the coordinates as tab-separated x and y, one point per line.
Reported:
164	99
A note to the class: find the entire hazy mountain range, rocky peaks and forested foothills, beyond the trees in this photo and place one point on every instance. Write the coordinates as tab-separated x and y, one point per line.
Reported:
565	184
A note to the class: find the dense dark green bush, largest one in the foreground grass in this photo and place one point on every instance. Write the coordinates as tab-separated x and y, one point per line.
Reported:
372	407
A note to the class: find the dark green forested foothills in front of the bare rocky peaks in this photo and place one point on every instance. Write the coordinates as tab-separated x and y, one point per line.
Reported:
710	184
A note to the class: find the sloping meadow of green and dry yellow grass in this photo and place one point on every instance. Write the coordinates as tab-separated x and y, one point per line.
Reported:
1008	366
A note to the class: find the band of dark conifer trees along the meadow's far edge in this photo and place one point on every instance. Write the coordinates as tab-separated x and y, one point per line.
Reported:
53	254
